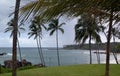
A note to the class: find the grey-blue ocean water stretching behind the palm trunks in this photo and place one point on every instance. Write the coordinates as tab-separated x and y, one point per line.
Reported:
67	57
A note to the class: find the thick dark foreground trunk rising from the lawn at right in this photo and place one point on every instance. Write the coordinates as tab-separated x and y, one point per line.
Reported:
107	68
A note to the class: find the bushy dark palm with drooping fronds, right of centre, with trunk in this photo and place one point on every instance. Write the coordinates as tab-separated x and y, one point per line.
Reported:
87	28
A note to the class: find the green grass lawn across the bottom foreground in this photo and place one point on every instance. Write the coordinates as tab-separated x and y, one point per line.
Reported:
73	70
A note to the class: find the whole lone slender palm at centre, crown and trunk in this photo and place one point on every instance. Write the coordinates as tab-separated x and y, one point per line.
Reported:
54	26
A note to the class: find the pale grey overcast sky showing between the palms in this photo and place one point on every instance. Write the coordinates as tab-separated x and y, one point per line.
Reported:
7	7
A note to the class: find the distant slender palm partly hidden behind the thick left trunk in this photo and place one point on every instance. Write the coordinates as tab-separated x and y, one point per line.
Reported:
10	29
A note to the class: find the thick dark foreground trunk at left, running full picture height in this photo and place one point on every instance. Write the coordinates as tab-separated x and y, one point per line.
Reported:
14	50
